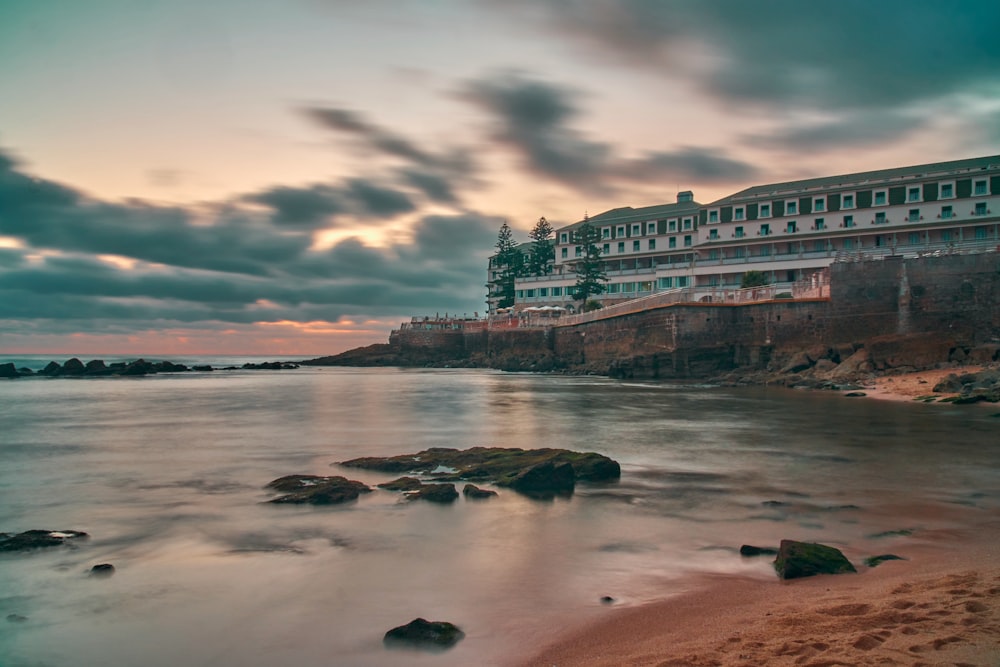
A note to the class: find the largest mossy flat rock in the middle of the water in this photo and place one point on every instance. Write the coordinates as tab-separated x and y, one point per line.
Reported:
510	467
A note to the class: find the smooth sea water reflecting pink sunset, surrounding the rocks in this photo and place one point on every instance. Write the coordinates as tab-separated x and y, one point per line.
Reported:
167	472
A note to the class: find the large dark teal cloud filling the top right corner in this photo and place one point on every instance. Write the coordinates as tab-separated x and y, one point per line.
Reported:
849	54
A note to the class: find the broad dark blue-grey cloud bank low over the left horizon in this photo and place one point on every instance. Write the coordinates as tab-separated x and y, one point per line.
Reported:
223	265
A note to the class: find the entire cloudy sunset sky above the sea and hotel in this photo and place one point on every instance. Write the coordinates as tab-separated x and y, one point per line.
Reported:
297	177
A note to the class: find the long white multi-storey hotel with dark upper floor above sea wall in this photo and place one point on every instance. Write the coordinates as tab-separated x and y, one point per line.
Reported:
788	231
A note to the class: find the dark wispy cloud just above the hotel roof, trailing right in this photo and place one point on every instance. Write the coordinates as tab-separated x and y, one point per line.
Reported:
533	119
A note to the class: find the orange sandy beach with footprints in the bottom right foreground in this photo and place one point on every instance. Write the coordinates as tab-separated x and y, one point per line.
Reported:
941	606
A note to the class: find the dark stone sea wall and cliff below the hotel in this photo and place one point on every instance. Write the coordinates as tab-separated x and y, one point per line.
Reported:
906	314
